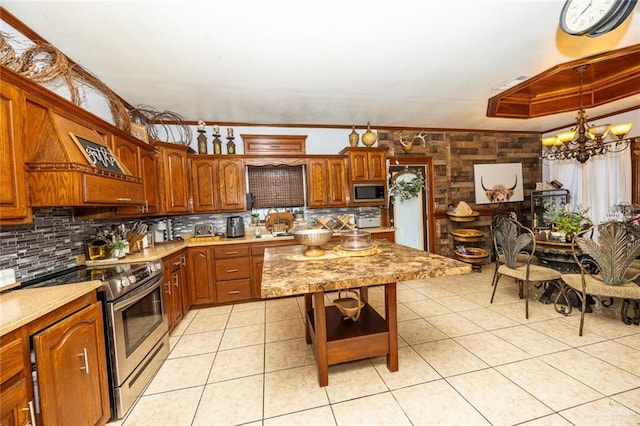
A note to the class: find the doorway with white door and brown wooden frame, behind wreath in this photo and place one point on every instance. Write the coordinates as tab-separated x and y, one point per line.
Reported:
414	219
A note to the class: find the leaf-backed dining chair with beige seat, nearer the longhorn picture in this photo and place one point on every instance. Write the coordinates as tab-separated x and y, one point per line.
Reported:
515	245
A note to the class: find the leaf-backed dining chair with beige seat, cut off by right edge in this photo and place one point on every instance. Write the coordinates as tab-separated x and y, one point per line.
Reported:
608	268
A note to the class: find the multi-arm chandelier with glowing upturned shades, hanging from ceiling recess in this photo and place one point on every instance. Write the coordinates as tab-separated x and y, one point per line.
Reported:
585	141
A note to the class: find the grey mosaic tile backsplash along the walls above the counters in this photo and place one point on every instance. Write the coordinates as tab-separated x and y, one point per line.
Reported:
55	238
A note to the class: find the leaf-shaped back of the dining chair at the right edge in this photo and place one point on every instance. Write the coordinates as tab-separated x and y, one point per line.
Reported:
610	250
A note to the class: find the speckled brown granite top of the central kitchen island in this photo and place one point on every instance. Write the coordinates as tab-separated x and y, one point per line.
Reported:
284	277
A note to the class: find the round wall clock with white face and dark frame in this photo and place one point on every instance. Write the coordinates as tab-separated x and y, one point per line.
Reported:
594	17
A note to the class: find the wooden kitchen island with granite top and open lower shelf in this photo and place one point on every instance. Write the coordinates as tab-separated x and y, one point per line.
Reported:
335	339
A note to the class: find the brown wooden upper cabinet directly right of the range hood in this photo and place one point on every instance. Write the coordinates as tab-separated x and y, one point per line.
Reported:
141	162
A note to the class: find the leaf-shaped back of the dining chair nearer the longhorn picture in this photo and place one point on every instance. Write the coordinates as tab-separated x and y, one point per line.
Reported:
510	238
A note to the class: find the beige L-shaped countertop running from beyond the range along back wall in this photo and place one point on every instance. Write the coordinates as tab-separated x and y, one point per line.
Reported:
159	251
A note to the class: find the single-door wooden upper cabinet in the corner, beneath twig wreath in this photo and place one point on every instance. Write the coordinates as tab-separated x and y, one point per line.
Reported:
174	178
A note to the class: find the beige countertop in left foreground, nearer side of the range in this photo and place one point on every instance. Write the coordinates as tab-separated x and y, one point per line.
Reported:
20	307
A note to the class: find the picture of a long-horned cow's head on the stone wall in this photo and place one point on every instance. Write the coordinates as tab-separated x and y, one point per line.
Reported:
498	183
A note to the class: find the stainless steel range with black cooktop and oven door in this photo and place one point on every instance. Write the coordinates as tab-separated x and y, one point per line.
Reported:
136	329
